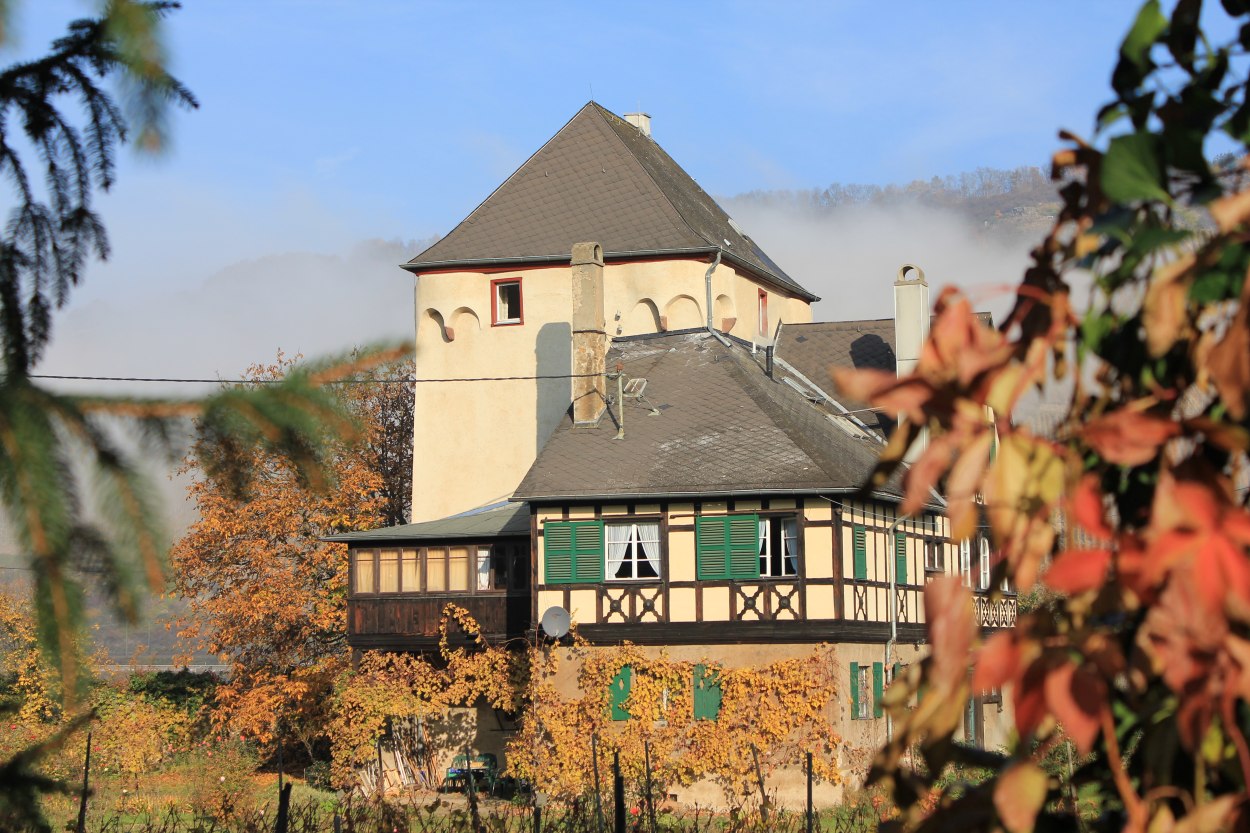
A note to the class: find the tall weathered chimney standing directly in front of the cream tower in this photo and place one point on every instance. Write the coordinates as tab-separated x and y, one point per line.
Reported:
589	335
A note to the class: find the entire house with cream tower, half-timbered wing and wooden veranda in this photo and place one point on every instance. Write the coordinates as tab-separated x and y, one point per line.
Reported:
688	481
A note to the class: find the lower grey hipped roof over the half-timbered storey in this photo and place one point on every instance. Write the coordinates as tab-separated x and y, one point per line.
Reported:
723	428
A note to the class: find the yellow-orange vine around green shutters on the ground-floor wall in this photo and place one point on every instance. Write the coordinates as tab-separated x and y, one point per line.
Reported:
781	710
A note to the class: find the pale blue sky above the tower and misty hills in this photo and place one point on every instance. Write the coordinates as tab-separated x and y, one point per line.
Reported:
328	123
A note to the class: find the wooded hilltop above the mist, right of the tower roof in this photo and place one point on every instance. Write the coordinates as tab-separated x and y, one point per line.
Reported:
1022	202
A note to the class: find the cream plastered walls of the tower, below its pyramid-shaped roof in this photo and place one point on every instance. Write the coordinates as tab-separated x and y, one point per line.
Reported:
474	441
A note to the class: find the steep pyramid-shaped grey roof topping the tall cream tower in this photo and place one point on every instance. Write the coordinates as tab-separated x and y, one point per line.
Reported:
599	179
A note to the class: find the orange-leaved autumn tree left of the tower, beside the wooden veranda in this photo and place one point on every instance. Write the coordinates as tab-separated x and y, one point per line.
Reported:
267	593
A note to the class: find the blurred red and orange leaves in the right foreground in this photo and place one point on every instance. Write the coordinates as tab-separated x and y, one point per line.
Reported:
1143	661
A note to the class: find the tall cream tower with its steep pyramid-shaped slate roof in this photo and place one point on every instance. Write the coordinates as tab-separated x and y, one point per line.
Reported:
493	297
